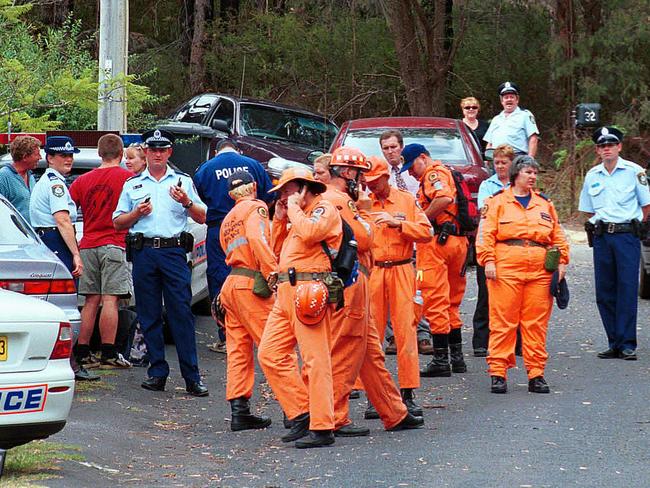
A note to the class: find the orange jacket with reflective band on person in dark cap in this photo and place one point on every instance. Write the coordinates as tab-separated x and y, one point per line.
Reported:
245	237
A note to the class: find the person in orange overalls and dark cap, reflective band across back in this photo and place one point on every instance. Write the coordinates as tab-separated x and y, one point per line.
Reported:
245	237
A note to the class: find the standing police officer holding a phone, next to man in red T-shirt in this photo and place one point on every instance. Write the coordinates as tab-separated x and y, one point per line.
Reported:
154	206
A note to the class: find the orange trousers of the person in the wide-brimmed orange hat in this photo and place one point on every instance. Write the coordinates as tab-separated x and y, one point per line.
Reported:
276	355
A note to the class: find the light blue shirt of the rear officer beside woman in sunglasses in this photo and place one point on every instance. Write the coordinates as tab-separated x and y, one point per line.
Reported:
514	129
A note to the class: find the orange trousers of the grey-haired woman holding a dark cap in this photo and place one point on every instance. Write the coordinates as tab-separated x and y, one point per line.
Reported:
520	296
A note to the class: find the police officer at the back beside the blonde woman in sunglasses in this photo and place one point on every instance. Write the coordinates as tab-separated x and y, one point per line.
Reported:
513	126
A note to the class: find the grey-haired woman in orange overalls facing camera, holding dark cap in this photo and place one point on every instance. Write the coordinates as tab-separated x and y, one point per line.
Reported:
517	227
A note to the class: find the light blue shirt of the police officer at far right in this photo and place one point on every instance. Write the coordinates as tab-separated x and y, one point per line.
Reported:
616	197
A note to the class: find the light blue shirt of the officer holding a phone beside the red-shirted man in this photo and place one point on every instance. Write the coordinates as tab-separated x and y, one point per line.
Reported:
168	218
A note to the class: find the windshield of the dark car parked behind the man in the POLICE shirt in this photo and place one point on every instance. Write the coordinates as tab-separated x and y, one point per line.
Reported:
287	125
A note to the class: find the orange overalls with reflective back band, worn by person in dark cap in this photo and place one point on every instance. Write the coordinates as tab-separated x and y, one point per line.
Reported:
245	237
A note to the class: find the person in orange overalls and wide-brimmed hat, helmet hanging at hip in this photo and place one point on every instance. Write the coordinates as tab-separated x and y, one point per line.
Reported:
301	314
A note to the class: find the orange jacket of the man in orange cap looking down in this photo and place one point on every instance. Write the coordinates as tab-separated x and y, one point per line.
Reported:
395	244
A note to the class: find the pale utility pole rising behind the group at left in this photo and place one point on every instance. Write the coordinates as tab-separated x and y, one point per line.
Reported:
113	62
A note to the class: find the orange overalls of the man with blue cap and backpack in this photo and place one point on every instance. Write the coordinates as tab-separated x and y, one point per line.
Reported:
440	265
